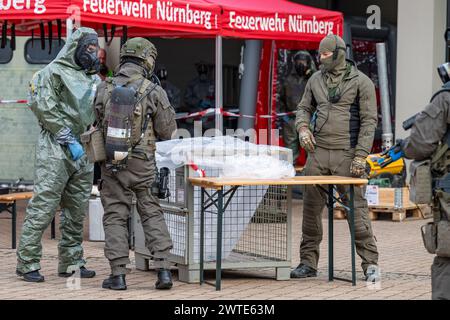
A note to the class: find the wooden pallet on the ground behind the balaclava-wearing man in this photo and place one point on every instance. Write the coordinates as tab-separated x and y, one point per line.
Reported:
390	213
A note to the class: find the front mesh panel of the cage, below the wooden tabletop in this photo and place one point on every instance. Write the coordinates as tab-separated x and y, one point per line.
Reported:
254	227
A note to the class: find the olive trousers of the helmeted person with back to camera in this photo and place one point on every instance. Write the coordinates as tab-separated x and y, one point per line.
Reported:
116	194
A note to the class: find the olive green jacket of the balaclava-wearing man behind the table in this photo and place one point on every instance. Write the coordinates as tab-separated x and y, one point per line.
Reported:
349	123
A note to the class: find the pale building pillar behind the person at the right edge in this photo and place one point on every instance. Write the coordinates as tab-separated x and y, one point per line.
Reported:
420	49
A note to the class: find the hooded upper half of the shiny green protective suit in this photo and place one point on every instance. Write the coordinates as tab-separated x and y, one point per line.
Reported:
62	94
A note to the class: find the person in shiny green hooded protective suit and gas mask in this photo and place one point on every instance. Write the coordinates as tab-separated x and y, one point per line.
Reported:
61	97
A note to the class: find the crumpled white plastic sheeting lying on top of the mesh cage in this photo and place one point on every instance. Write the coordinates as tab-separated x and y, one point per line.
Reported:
232	156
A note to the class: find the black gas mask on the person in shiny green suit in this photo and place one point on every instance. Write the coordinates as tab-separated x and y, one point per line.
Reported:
86	56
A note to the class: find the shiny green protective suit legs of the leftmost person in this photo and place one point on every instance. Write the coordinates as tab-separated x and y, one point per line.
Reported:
63	183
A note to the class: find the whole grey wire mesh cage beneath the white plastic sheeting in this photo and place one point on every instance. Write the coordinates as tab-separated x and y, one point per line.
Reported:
255	228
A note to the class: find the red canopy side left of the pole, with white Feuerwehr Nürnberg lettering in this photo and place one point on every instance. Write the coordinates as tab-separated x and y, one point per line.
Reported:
147	17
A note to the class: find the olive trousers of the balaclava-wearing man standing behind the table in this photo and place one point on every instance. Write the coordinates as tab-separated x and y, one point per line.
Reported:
333	162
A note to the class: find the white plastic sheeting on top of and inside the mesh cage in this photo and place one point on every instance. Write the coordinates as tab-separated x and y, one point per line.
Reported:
223	156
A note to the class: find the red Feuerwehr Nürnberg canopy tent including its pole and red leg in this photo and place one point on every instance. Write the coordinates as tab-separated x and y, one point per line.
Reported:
287	24
